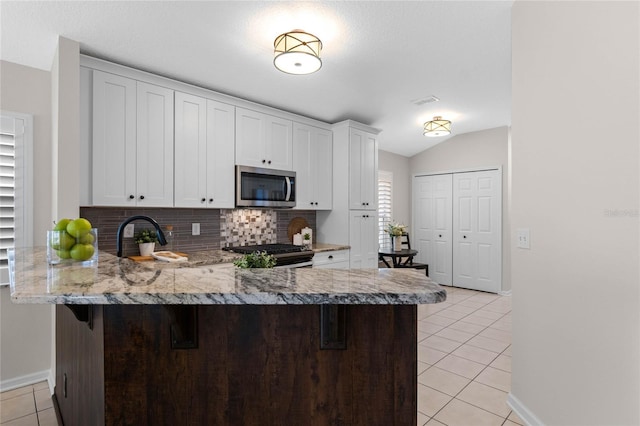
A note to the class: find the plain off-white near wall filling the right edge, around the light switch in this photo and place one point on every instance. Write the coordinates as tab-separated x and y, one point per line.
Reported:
575	158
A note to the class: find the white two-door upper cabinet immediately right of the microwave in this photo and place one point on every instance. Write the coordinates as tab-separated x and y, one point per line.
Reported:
312	162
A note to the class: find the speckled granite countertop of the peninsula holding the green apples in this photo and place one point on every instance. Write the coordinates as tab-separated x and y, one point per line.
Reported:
209	278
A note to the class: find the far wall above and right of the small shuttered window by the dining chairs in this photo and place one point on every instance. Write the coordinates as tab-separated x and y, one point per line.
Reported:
401	189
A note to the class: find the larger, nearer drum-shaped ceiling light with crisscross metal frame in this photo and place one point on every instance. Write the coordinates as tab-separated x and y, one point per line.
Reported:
297	52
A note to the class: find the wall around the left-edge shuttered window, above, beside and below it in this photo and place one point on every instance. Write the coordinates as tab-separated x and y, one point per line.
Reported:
25	334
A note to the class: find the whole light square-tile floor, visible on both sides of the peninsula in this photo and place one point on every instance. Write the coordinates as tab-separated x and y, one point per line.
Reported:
464	367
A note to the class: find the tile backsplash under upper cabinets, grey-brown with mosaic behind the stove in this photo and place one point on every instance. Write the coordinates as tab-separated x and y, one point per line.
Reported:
218	227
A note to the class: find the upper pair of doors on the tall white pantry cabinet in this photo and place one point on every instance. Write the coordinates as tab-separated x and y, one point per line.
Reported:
363	169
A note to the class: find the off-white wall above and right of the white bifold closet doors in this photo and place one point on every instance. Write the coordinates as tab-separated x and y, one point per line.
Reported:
471	151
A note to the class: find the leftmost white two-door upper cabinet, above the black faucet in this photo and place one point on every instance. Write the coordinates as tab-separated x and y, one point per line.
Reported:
132	142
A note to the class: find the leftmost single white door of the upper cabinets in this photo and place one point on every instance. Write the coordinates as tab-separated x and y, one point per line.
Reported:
114	140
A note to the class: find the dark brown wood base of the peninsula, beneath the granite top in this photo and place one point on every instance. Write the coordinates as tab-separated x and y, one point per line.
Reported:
236	365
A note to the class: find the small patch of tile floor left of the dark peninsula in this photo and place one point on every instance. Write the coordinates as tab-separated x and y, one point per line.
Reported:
27	406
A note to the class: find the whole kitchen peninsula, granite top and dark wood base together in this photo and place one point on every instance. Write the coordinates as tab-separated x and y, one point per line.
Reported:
207	343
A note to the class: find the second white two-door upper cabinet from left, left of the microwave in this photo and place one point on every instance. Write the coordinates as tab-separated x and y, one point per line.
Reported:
204	134
